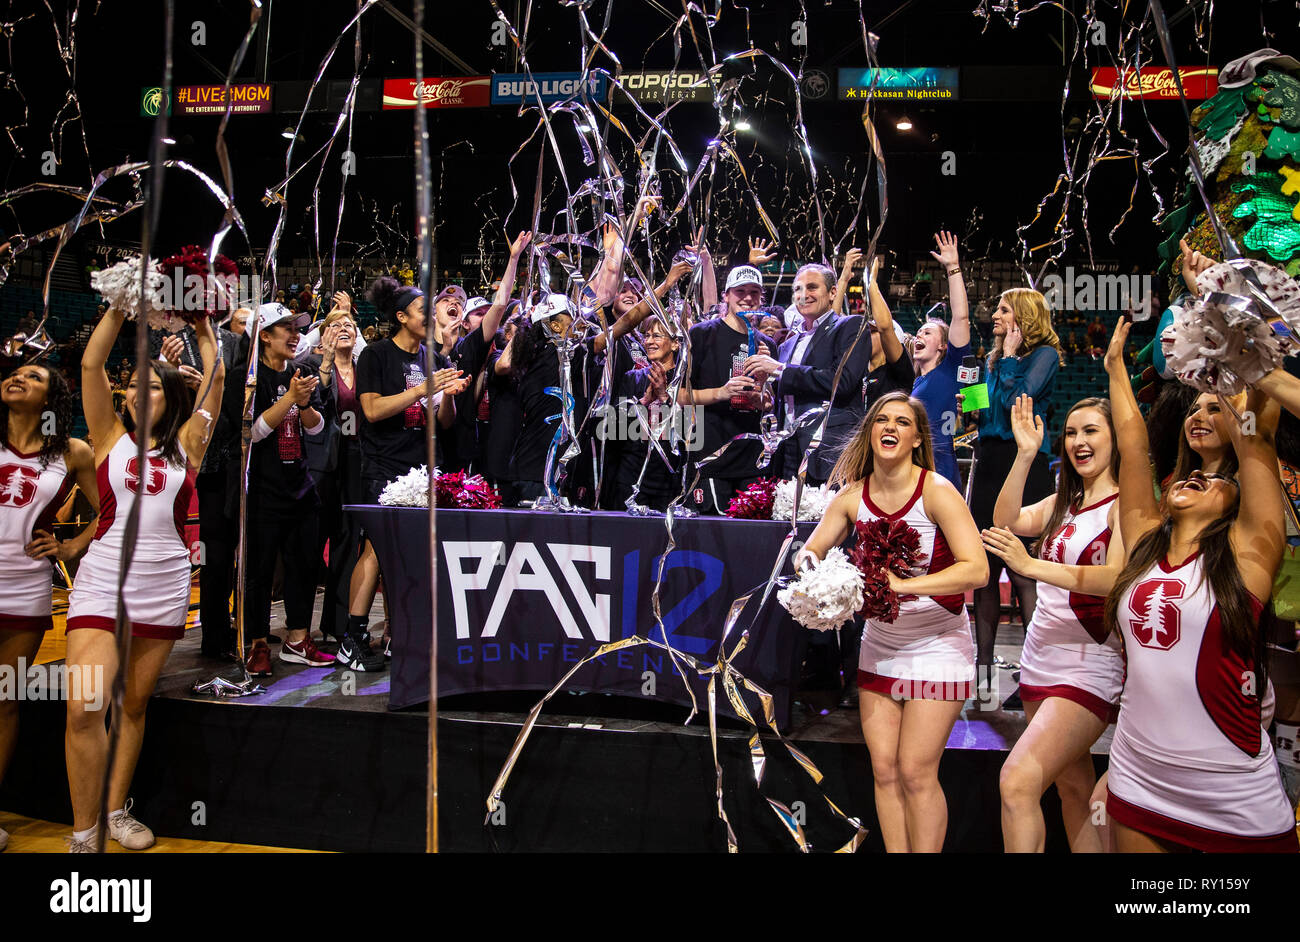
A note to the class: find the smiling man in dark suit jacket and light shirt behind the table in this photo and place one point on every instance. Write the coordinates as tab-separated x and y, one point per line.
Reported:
807	368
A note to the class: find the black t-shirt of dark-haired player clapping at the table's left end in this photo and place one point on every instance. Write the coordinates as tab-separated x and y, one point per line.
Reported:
396	445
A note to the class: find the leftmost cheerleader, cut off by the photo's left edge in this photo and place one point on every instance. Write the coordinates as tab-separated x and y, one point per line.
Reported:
40	465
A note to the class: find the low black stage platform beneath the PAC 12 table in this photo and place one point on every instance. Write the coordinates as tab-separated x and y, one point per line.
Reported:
319	762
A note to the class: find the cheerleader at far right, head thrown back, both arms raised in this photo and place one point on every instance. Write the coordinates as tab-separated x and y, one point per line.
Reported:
1190	765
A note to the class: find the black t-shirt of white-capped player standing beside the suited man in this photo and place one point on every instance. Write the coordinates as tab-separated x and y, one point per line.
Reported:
713	345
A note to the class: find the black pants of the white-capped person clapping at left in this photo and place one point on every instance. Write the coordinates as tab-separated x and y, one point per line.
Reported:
293	540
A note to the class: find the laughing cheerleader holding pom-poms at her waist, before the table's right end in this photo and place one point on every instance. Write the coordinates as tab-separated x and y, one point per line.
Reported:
916	674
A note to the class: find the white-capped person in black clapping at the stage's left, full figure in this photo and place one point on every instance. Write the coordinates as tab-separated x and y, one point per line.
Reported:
283	503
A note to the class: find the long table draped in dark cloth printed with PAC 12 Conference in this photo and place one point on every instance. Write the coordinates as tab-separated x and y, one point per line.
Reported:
526	596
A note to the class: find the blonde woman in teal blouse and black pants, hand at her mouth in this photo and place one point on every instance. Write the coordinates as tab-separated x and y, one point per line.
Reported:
1024	363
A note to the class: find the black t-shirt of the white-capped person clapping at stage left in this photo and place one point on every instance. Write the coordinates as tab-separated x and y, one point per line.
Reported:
279	481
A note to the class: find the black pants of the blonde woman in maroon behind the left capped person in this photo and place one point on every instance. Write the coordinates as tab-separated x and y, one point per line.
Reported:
337	529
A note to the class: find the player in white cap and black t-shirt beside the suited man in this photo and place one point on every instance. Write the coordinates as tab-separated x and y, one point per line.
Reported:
733	402
